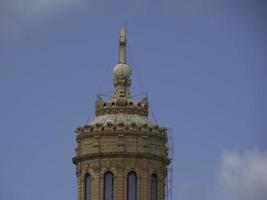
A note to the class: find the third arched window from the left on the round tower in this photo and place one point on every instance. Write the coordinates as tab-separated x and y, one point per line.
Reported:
131	186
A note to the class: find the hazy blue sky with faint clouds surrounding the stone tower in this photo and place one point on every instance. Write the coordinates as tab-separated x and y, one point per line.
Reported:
202	62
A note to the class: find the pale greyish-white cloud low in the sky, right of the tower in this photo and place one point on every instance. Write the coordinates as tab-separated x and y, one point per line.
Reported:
242	176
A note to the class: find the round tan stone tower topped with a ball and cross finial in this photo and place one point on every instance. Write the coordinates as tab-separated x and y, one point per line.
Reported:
121	154
